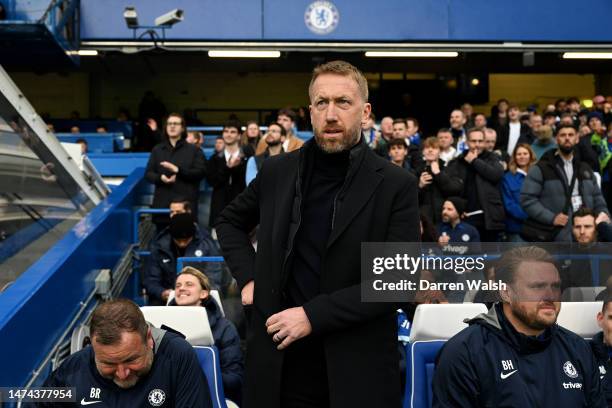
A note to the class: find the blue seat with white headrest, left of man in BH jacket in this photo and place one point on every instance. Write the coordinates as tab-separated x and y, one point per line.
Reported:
432	326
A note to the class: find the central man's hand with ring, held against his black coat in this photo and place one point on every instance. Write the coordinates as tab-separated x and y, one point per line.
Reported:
288	326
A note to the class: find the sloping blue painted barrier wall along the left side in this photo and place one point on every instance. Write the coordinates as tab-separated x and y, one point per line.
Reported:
36	308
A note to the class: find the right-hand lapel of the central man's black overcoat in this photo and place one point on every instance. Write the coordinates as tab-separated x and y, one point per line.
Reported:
363	186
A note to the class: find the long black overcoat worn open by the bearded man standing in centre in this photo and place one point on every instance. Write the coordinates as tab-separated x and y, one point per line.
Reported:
377	203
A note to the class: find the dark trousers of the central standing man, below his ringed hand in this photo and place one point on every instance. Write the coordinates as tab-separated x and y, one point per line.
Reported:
304	378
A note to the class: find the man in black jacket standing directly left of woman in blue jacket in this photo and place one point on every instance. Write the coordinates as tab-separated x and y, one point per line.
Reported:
477	173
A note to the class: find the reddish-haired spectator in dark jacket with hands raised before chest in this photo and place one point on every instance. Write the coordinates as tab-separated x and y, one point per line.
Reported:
434	182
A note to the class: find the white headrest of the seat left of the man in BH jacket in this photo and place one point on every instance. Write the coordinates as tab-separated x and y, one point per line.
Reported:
442	321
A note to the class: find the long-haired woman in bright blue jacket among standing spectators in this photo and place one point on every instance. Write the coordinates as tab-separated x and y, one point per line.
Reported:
522	160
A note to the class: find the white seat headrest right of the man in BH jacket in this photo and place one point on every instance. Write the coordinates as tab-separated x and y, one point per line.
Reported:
580	317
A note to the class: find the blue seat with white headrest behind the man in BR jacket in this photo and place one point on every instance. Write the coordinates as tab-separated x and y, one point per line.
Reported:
185	319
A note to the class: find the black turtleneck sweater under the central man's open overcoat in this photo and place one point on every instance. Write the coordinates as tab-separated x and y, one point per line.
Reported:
322	182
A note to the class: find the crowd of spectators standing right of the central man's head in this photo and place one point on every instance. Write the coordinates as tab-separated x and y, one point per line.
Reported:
513	169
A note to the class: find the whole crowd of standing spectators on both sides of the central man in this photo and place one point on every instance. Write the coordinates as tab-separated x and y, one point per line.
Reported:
512	167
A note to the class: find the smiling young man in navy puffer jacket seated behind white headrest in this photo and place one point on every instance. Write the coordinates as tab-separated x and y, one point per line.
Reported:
192	288
